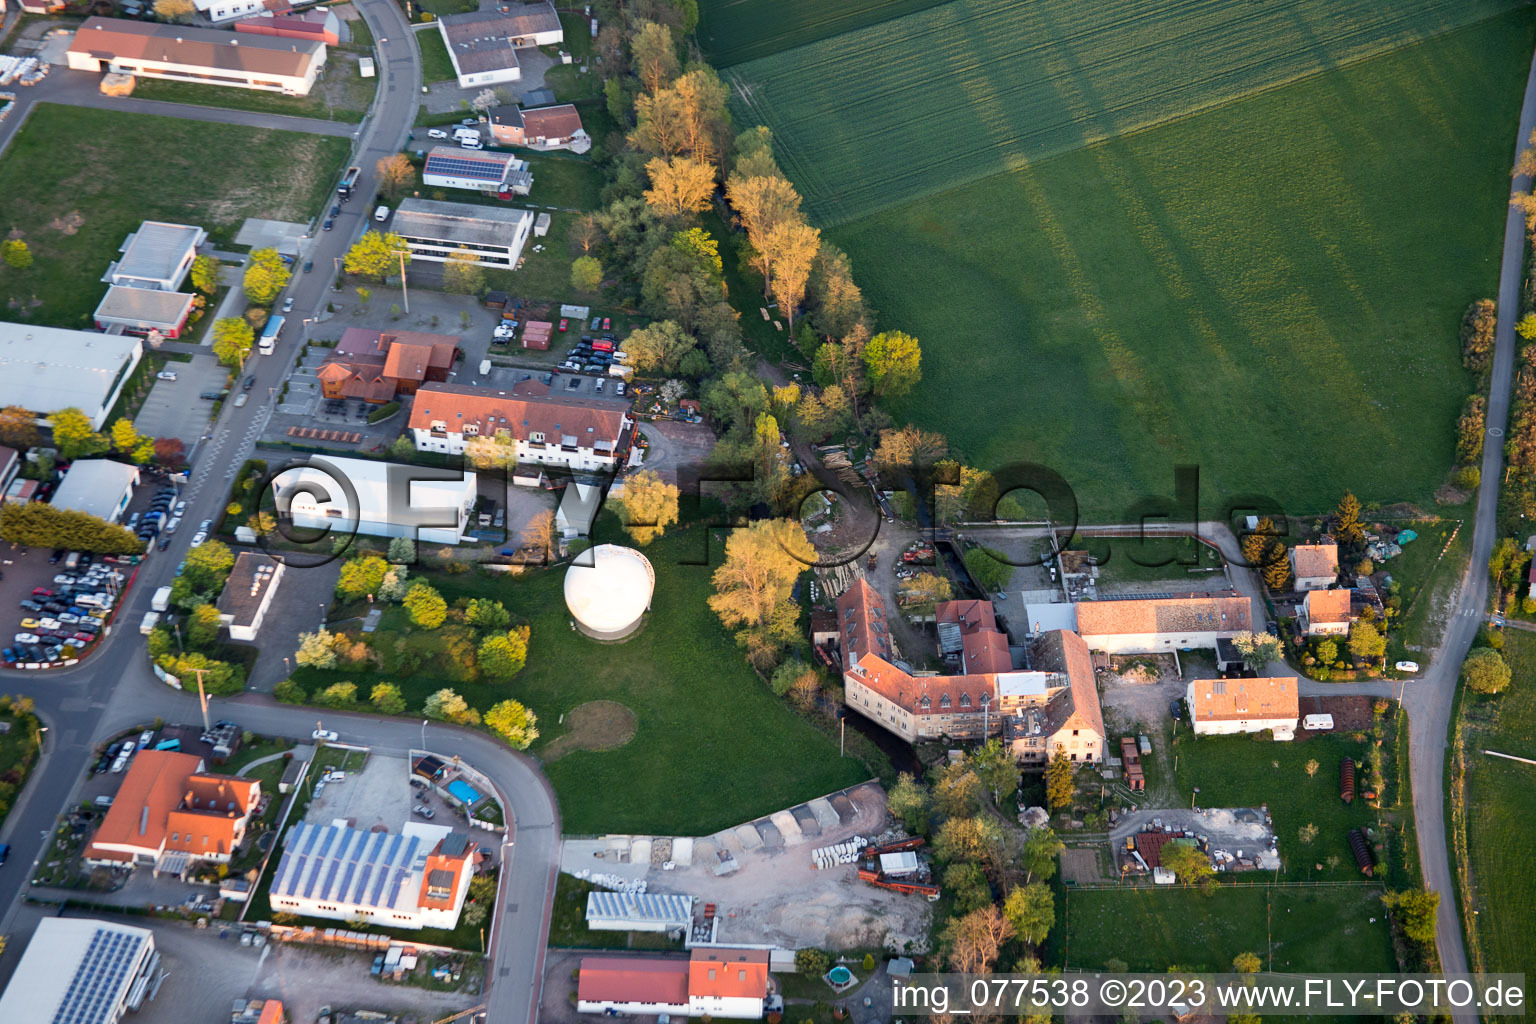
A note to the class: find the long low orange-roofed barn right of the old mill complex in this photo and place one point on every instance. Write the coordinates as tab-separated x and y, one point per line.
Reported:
1151	626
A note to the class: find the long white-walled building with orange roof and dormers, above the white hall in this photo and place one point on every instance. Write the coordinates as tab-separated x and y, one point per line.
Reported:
583	434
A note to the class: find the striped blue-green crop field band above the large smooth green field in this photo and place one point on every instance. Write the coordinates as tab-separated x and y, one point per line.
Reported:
933	101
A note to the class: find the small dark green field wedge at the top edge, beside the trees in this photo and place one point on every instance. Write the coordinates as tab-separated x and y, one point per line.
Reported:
732	31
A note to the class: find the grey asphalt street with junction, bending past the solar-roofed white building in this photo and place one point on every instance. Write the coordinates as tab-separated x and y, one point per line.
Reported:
114	689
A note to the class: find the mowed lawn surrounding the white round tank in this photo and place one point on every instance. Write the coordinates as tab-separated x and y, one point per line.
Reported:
713	745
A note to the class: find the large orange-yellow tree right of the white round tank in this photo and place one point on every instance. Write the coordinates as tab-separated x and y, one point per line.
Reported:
763	563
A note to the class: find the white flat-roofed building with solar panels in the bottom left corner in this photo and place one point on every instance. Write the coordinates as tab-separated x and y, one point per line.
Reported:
81	971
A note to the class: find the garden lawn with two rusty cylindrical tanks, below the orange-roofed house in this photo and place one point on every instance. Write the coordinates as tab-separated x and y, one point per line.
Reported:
1239	771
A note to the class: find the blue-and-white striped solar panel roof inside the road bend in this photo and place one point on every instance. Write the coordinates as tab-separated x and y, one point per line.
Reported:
340	865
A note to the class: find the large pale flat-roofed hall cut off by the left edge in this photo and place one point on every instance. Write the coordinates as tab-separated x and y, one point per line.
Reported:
48	369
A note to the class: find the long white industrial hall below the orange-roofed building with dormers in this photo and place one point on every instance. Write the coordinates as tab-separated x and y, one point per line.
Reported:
379	500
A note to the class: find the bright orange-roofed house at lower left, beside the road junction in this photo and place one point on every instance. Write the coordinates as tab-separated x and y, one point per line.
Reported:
170	814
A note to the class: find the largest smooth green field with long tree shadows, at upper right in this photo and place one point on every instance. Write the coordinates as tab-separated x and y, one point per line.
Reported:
1270	291
